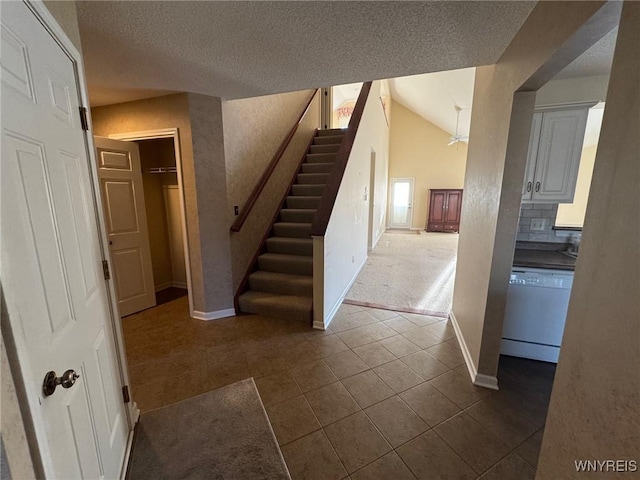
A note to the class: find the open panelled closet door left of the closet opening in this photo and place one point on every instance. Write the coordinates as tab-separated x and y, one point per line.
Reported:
126	222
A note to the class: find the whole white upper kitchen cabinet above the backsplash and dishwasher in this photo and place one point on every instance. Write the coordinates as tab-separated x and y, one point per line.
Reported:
555	147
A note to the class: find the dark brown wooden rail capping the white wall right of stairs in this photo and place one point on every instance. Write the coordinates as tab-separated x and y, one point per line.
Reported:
323	214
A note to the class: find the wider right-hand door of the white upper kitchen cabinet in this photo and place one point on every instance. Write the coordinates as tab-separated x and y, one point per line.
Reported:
558	158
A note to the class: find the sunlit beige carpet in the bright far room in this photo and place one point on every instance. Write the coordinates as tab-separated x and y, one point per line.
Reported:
410	273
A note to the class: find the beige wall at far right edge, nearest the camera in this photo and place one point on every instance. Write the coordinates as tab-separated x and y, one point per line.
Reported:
594	411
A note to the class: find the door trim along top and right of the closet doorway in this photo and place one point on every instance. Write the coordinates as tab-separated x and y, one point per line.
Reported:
175	134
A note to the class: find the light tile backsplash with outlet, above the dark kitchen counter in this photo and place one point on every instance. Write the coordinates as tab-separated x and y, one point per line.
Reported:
534	214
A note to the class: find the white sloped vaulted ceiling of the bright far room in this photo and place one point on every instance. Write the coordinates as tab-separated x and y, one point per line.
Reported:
434	96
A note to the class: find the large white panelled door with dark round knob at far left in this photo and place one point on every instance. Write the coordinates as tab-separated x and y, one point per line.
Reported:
56	296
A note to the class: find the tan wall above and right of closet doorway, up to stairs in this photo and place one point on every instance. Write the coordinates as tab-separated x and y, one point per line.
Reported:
202	155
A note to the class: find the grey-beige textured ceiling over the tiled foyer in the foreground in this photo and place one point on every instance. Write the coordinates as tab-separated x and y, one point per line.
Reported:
240	49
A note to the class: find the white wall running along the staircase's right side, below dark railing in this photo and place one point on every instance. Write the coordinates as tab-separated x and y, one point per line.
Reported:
345	241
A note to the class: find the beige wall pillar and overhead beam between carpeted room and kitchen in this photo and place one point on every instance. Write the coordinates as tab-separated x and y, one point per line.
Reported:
491	203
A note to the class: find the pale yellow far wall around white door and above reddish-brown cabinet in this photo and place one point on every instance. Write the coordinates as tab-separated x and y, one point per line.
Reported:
418	149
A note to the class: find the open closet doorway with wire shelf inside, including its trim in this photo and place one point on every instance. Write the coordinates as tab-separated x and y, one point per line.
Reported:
165	210
